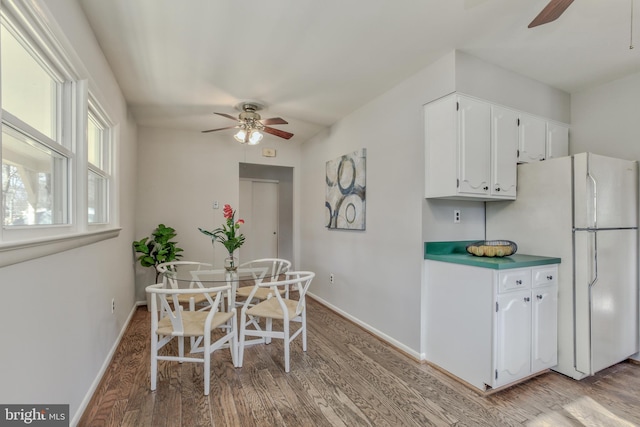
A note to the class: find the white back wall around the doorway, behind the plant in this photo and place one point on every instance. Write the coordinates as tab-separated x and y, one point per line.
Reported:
181	173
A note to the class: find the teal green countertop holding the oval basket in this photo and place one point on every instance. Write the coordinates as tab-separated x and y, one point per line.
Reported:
456	252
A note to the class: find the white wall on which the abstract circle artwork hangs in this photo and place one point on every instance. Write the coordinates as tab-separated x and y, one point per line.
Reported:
377	271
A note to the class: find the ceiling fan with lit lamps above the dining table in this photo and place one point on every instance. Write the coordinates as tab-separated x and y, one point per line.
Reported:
250	124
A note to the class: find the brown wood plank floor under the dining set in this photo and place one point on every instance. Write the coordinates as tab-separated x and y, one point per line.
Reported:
346	378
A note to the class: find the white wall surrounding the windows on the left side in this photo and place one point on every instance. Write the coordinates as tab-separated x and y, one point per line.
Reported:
57	327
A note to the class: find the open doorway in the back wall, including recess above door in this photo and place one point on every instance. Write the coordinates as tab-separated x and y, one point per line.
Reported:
266	205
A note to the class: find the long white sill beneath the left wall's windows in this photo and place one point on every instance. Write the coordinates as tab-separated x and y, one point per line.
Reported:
15	252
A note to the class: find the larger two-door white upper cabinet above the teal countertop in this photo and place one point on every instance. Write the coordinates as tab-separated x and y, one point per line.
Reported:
470	149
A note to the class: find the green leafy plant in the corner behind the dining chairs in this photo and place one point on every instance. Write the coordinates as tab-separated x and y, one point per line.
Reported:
158	247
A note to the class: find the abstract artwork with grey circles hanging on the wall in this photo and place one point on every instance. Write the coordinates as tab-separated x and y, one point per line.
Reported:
345	202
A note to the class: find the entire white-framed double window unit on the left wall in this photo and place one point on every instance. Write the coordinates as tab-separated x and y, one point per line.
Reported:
56	142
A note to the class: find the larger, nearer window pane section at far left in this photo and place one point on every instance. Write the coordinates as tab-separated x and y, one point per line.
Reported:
34	163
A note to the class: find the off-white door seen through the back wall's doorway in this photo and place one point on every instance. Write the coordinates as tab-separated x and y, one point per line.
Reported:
259	209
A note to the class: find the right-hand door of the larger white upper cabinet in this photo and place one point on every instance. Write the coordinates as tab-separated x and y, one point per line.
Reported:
504	152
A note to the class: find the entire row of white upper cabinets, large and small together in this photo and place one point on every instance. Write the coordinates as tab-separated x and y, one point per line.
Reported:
472	147
